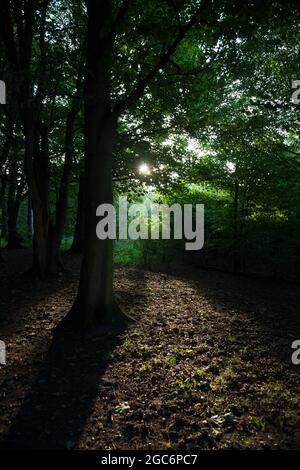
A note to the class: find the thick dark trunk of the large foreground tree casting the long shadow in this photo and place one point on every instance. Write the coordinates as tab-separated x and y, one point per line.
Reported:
94	302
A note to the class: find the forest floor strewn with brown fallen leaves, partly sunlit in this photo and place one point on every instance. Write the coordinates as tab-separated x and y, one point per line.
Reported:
206	365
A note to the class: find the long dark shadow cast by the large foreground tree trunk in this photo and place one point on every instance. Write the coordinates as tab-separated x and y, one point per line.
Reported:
61	398
